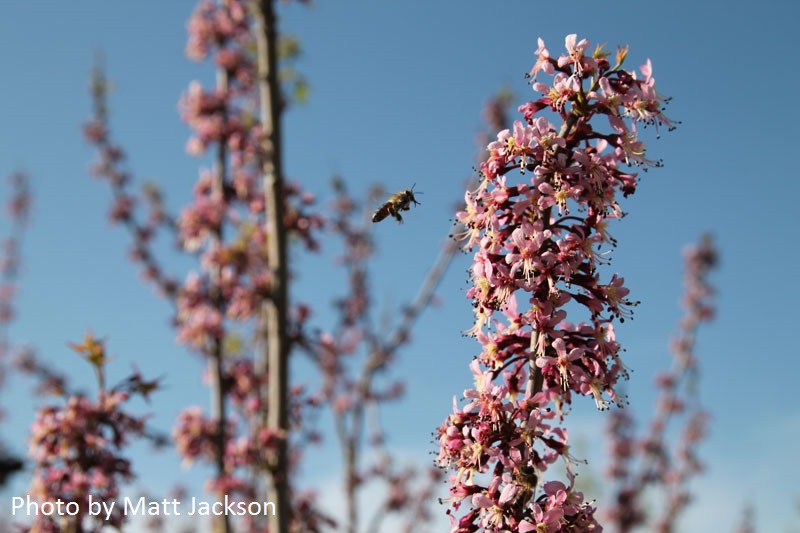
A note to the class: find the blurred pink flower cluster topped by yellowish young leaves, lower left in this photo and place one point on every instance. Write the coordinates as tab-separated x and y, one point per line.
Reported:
77	448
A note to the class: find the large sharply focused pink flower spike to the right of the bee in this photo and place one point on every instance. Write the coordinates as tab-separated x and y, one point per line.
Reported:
539	239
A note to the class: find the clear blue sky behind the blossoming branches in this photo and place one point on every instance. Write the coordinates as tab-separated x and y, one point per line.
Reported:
397	90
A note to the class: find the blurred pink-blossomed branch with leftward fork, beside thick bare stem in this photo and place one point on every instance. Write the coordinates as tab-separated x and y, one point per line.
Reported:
230	226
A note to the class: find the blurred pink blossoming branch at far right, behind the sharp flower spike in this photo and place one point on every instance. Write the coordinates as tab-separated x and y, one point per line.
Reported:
650	460
